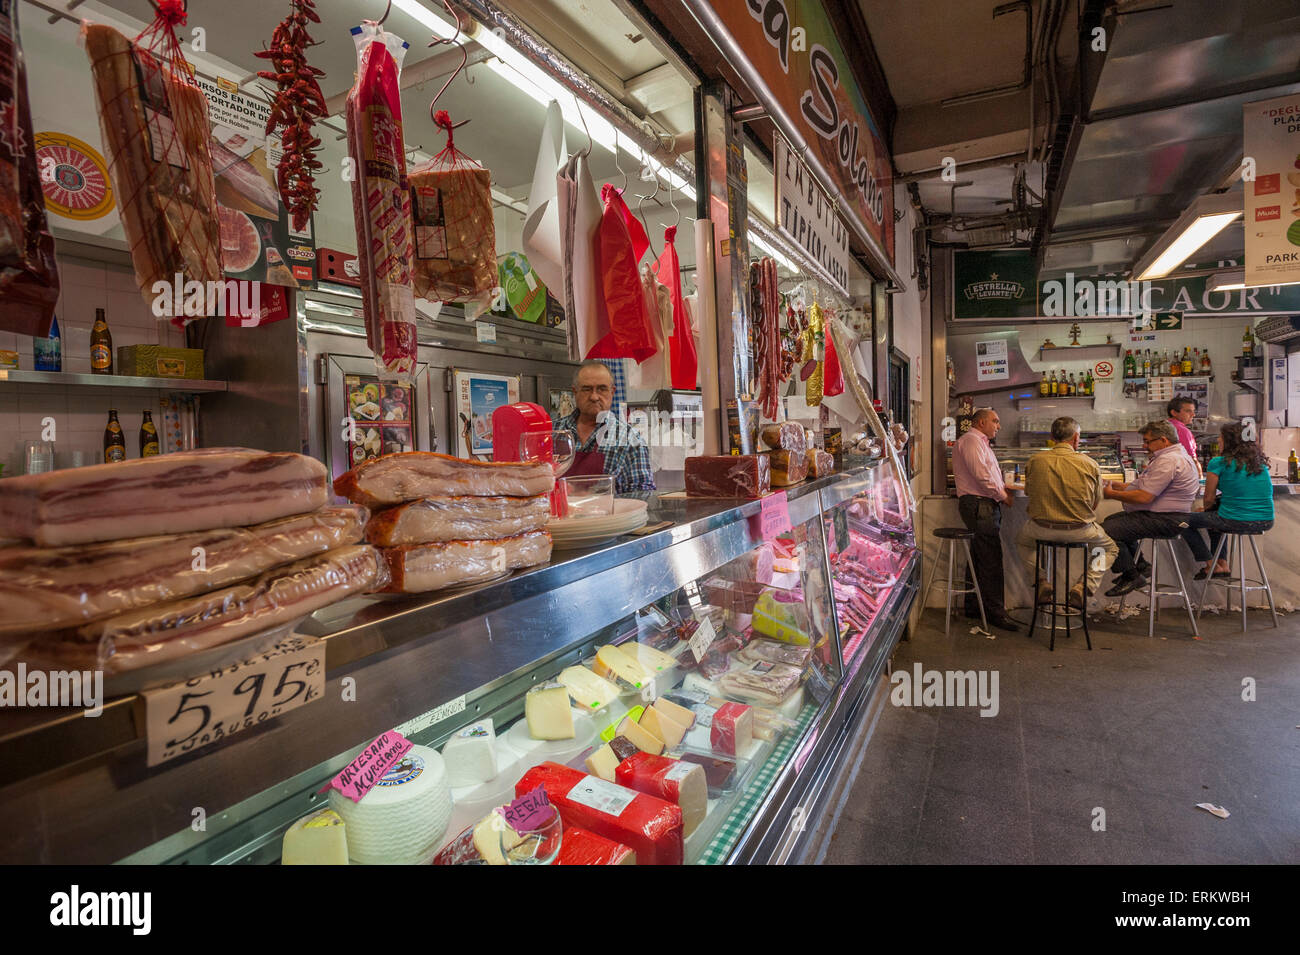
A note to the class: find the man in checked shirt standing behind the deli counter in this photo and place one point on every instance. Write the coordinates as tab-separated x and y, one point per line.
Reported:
606	444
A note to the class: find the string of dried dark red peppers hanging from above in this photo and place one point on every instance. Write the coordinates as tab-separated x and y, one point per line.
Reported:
296	108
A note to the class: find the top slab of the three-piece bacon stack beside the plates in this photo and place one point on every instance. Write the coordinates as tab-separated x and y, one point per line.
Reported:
419	475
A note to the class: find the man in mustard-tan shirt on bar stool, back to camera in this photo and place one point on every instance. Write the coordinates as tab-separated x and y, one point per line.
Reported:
1064	488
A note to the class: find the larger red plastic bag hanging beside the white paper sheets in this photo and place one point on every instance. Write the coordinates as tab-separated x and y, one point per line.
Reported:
617	255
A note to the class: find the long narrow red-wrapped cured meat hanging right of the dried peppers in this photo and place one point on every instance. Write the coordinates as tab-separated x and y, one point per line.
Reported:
382	201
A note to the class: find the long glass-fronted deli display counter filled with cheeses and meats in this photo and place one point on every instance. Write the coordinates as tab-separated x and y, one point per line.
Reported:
694	676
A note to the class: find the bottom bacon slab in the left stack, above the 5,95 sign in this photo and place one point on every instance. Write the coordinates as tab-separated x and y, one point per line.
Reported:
170	631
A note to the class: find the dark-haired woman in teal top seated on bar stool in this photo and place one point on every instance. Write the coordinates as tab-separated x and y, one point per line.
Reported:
1245	506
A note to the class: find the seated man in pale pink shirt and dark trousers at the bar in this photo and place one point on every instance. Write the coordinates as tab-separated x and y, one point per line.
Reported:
1158	505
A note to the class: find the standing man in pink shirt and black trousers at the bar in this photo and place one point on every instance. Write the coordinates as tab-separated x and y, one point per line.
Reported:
981	497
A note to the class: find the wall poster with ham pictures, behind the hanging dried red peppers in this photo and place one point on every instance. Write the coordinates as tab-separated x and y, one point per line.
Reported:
258	242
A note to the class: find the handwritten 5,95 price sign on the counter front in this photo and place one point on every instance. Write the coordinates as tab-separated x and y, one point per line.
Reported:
187	717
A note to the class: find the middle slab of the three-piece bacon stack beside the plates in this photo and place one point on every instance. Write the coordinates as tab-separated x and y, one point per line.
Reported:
460	518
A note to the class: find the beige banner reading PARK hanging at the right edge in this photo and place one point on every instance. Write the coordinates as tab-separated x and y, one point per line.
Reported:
1272	138
